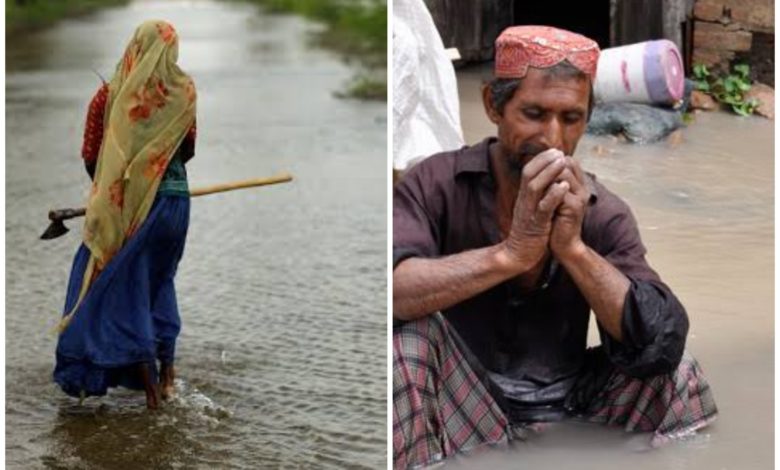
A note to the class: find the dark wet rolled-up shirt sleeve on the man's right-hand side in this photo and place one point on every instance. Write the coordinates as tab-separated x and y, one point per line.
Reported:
654	323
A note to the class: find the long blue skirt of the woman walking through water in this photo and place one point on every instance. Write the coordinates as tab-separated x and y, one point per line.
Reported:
129	315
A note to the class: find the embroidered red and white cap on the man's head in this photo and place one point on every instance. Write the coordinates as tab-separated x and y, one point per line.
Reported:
519	47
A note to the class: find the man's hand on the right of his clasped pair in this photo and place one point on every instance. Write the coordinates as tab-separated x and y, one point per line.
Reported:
565	239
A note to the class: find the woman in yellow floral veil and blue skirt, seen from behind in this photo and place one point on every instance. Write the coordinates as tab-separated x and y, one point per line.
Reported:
120	313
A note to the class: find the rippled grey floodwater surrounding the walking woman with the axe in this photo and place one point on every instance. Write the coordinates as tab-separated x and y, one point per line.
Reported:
282	290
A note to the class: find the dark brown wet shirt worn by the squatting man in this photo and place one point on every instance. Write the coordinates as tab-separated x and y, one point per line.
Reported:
533	344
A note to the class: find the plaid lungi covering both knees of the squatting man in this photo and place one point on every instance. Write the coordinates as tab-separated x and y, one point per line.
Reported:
441	406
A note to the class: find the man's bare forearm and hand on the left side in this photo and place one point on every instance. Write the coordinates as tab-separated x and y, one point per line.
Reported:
422	286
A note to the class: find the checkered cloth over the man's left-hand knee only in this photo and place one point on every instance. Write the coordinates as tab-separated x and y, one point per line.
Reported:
439	404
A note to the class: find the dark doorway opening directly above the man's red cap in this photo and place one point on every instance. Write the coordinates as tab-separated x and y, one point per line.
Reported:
589	18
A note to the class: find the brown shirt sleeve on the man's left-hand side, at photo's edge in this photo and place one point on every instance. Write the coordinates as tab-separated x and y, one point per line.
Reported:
415	228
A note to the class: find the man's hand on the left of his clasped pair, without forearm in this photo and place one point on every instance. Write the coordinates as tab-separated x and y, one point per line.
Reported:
541	192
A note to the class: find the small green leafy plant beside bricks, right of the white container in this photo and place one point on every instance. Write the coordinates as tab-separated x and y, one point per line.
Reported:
728	88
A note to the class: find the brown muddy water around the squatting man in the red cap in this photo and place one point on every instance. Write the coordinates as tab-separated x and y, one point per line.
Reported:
705	207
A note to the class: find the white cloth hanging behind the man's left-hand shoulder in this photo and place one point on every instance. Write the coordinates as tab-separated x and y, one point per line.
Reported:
426	111
